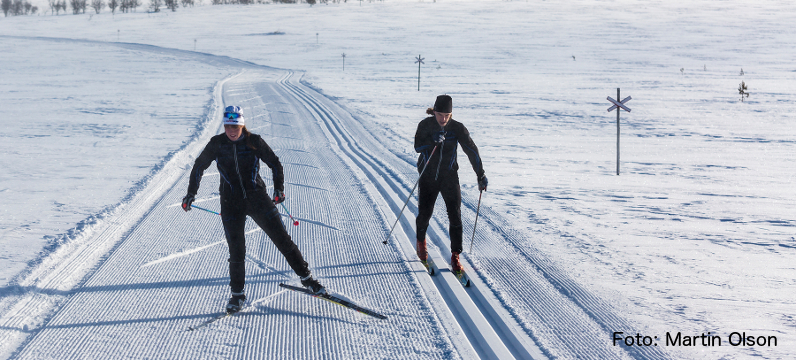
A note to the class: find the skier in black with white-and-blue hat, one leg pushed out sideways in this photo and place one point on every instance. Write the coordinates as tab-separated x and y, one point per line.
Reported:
237	154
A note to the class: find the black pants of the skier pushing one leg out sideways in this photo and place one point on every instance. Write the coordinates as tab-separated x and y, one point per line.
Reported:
261	209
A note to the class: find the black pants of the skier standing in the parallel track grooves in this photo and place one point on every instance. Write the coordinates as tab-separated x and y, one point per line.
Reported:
446	184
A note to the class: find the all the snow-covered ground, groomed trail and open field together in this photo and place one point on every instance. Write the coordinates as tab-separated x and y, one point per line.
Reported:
101	113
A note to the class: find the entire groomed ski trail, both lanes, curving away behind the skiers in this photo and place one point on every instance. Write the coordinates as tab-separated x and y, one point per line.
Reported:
129	288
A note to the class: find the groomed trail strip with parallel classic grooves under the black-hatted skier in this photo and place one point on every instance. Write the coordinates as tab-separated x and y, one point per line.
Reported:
519	299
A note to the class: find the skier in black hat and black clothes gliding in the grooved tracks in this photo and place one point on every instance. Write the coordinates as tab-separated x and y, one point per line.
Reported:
442	177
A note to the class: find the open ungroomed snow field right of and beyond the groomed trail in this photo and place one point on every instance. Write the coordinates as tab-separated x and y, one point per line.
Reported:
695	236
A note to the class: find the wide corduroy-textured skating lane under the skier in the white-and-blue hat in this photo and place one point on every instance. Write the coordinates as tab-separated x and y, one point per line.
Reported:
136	306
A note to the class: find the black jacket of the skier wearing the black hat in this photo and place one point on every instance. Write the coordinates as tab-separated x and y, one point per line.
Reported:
455	134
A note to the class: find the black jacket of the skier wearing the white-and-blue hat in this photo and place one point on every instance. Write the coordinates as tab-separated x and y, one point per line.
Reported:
238	164
